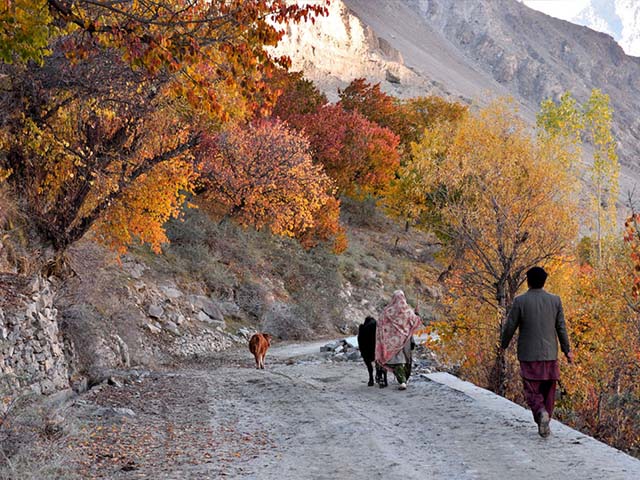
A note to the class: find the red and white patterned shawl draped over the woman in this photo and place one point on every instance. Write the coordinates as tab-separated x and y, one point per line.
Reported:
395	327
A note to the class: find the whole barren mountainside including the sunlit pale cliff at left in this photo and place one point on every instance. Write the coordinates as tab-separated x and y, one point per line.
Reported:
475	50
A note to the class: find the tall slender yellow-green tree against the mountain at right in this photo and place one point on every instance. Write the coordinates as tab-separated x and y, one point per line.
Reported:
590	123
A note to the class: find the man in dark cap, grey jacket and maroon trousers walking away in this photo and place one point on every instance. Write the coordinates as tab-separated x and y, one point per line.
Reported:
539	317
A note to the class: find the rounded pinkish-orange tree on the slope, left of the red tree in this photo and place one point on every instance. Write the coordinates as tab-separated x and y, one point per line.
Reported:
262	175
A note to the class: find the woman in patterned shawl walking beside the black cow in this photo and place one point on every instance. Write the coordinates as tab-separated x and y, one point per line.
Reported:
395	331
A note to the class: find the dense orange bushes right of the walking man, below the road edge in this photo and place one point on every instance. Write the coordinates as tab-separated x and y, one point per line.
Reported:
603	392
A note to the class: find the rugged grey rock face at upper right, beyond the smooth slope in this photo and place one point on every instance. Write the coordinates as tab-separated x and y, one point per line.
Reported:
536	57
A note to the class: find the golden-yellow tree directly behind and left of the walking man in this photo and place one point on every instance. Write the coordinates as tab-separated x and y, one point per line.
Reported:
503	205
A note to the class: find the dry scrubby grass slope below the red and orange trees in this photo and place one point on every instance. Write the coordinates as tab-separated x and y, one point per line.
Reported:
292	292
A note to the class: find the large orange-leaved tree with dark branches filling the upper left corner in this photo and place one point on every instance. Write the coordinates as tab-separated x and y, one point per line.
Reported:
81	149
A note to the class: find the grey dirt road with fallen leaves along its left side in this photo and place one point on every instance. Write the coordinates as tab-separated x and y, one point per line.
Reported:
308	418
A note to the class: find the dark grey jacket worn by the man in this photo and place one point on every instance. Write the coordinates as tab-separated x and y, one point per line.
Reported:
540	318
